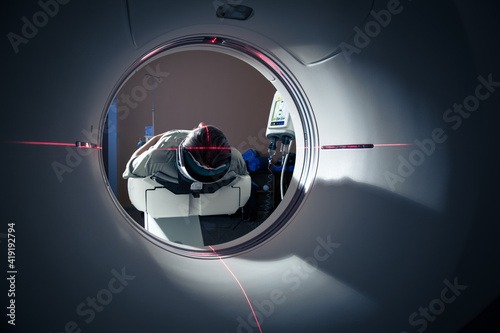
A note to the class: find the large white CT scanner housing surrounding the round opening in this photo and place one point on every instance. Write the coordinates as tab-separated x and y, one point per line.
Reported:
399	235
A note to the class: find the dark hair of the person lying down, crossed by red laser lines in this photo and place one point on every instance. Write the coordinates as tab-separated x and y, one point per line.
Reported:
205	140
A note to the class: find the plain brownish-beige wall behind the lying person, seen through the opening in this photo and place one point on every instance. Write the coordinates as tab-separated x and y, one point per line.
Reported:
200	86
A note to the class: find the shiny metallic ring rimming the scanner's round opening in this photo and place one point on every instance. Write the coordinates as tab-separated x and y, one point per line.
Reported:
309	129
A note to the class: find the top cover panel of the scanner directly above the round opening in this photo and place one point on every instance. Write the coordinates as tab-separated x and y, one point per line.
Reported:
333	22
